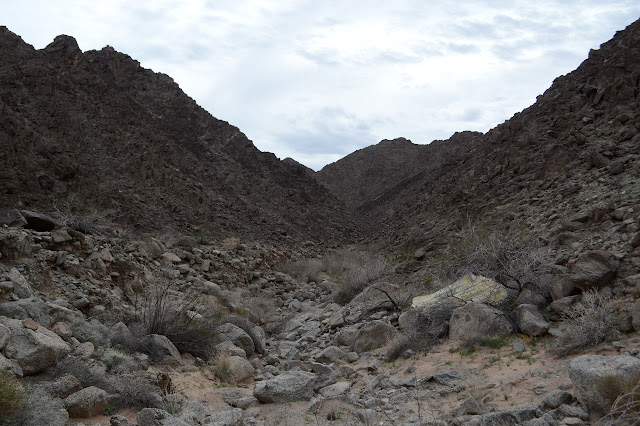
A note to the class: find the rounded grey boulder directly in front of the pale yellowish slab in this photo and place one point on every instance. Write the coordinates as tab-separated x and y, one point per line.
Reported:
475	320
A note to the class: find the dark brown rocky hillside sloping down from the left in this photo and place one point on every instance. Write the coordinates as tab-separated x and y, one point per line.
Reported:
94	133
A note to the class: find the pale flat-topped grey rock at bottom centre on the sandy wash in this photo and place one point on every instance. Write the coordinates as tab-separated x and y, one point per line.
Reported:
288	387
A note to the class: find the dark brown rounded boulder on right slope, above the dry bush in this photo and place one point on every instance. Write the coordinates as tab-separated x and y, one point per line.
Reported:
595	269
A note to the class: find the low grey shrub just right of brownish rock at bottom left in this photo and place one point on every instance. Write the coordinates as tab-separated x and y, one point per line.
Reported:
136	390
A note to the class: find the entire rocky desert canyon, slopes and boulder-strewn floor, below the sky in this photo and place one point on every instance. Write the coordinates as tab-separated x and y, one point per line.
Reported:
157	269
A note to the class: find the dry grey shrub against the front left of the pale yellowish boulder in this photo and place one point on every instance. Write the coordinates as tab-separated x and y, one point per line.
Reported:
425	330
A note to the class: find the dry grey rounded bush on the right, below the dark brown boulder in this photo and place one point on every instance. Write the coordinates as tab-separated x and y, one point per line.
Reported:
588	324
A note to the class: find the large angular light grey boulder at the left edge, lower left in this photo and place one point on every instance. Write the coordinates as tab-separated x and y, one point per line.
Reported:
33	350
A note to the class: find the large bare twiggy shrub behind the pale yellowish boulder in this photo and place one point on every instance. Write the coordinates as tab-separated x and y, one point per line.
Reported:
512	256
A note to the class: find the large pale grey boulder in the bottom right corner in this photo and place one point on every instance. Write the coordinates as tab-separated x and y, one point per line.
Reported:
599	380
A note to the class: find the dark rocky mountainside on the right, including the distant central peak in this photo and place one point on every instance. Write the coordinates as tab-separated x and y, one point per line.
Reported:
568	167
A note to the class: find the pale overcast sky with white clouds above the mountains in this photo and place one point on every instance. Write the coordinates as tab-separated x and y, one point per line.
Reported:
316	80
